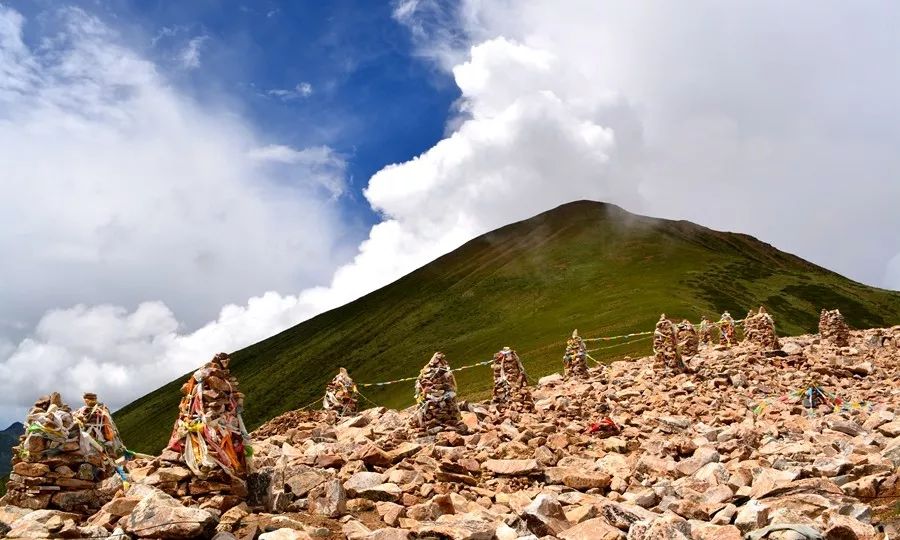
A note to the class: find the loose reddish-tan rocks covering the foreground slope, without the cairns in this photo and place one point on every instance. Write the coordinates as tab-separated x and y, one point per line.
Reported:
726	450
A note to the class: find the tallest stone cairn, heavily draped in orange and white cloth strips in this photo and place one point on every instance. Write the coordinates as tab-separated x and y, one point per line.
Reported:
209	437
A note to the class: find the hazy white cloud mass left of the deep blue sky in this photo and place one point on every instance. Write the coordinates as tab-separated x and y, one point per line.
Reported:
117	190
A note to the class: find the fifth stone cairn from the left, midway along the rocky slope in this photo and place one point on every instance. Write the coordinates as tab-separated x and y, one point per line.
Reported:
436	408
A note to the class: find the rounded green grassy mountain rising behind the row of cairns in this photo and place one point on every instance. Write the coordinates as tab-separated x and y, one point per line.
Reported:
585	265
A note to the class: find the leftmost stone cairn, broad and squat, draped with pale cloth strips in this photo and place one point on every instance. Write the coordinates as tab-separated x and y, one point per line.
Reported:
54	465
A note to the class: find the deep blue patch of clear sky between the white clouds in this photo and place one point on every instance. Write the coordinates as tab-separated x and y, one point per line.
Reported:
343	74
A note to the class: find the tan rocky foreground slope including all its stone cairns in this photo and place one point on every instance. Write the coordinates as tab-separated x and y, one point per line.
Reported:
687	455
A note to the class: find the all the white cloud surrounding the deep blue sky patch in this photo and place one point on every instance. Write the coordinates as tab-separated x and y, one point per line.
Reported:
780	121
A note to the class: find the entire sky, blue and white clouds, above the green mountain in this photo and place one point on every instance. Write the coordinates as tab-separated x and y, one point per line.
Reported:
183	178
